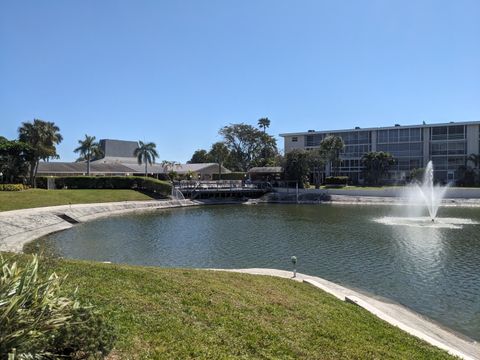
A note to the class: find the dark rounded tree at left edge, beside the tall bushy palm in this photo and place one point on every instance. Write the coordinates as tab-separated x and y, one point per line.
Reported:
14	159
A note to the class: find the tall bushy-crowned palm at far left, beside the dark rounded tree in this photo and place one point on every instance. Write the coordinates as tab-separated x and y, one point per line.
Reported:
42	136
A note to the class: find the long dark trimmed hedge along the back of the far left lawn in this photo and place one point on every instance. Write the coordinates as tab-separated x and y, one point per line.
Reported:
109	182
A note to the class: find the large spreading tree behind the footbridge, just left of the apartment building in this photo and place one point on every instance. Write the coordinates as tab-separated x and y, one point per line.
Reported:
248	146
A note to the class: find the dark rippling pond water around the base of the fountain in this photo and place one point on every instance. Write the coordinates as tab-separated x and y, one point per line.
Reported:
433	270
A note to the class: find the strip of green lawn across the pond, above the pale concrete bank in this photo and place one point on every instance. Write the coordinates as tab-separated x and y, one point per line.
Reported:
12	200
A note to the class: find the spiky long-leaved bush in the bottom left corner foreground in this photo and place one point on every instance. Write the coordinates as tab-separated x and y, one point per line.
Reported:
36	319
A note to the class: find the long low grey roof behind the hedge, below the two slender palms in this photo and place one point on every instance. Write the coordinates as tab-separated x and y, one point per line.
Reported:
80	168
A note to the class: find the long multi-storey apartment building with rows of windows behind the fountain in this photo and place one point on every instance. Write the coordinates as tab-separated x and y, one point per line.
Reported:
447	145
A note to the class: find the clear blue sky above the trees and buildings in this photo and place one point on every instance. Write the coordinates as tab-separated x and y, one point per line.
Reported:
176	71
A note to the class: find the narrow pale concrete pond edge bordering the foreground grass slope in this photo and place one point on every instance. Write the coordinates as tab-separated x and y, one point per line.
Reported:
394	314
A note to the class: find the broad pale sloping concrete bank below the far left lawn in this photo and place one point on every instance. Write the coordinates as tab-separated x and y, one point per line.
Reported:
19	227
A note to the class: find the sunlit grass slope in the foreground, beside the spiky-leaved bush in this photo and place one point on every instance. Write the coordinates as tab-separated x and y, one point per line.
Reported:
181	314
